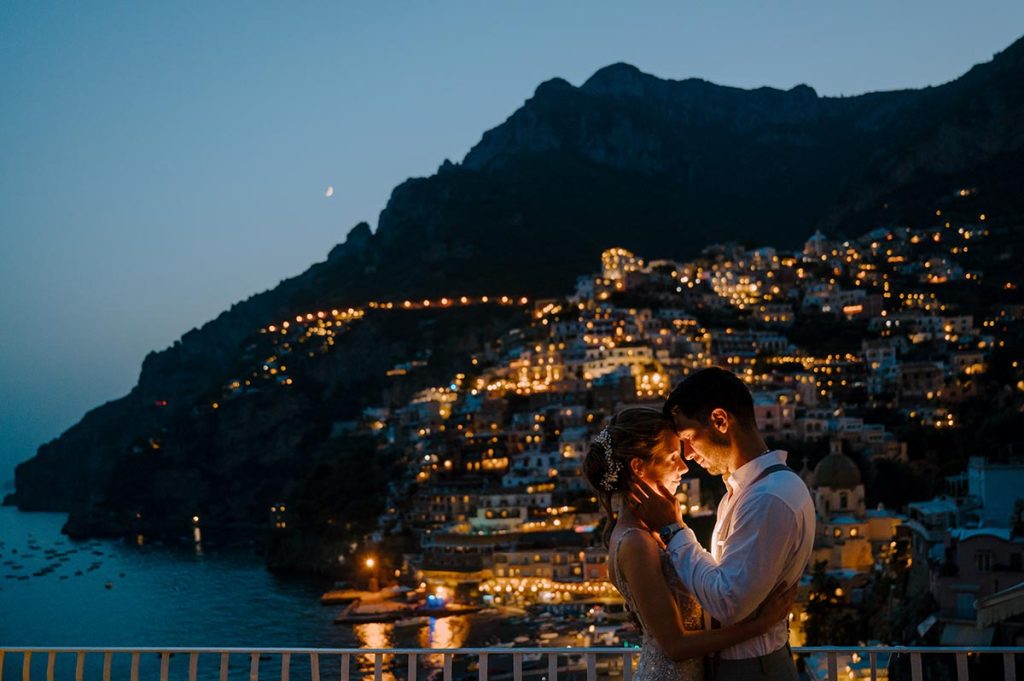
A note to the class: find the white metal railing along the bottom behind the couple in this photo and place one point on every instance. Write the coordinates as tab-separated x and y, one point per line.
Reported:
517	664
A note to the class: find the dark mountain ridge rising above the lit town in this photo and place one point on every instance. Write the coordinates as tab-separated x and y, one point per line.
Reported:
662	167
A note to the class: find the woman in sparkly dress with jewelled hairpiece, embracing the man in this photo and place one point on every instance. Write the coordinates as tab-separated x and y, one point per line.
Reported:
641	443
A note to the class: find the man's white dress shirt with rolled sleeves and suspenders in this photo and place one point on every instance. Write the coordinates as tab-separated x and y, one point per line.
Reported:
769	541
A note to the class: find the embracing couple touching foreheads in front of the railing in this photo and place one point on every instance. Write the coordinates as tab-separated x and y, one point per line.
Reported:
718	614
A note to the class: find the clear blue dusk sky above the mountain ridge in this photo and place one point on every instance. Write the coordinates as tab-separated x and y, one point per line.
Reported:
164	160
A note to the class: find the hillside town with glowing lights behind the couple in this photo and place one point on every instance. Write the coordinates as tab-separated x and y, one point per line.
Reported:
837	342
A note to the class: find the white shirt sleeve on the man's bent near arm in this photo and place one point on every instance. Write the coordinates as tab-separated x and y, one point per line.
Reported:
752	564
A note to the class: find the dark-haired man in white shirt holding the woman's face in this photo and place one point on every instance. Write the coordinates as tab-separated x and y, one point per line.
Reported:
765	528
